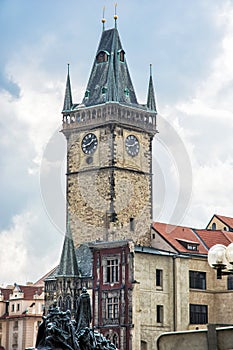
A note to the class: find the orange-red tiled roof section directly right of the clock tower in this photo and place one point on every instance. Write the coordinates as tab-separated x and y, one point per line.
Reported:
174	235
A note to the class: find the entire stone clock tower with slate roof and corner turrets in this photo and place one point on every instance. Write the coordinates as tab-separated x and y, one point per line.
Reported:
109	151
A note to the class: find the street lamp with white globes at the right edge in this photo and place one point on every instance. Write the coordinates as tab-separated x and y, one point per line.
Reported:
220	258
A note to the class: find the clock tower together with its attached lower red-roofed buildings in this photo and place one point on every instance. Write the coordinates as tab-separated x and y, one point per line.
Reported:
144	278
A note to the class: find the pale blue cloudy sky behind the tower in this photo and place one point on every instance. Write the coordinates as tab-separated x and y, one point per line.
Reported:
190	46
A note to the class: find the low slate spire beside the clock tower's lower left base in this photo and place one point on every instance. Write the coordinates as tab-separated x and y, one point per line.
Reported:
68	266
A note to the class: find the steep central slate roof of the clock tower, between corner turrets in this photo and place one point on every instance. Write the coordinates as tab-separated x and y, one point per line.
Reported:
113	75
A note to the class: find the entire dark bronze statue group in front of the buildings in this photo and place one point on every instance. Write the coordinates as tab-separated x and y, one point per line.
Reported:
59	332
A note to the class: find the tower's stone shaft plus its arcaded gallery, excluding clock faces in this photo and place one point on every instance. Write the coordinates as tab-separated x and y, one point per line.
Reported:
109	191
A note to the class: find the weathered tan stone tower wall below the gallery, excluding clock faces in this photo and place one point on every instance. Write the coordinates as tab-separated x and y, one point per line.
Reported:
109	181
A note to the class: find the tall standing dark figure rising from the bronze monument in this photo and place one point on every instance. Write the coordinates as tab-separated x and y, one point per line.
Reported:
83	314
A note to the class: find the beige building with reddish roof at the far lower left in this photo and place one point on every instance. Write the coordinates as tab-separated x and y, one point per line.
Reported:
21	309
